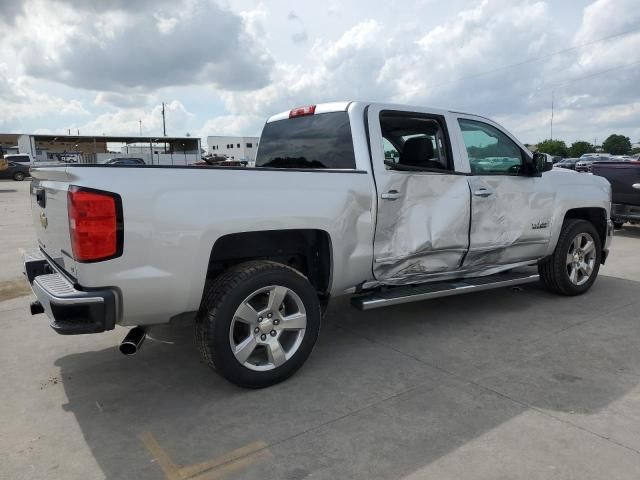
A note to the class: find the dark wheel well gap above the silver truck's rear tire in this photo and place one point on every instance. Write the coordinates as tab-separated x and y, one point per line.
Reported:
307	250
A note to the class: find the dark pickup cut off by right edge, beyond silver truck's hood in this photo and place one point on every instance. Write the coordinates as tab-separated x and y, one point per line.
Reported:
624	178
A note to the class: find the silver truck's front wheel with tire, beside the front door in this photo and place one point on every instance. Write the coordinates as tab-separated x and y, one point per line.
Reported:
556	273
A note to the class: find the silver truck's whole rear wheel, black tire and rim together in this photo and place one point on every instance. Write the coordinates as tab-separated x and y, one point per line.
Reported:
277	346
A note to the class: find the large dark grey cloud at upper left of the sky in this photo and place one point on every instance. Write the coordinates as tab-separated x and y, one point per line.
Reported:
182	43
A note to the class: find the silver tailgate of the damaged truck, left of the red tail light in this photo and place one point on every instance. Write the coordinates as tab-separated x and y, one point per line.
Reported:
49	188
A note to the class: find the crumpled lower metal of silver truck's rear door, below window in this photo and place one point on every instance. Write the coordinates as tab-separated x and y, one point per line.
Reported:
426	230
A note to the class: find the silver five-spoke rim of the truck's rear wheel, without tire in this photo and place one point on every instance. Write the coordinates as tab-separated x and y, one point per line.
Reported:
267	328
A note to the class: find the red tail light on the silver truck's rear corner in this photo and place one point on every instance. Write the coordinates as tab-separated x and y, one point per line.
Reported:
95	224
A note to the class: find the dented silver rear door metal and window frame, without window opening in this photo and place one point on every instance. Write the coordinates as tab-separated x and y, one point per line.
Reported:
422	222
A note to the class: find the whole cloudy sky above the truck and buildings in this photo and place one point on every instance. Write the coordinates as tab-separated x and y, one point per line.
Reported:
222	67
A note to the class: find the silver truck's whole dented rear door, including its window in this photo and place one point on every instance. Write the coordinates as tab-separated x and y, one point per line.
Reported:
423	204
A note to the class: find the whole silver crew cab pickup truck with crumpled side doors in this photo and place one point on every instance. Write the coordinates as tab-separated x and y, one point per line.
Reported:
387	203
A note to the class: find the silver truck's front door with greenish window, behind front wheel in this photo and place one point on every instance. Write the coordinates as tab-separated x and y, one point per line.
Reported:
510	213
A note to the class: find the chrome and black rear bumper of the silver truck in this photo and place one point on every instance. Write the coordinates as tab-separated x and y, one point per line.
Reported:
71	310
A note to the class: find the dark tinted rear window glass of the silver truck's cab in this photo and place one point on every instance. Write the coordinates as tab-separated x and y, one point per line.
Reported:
313	141
